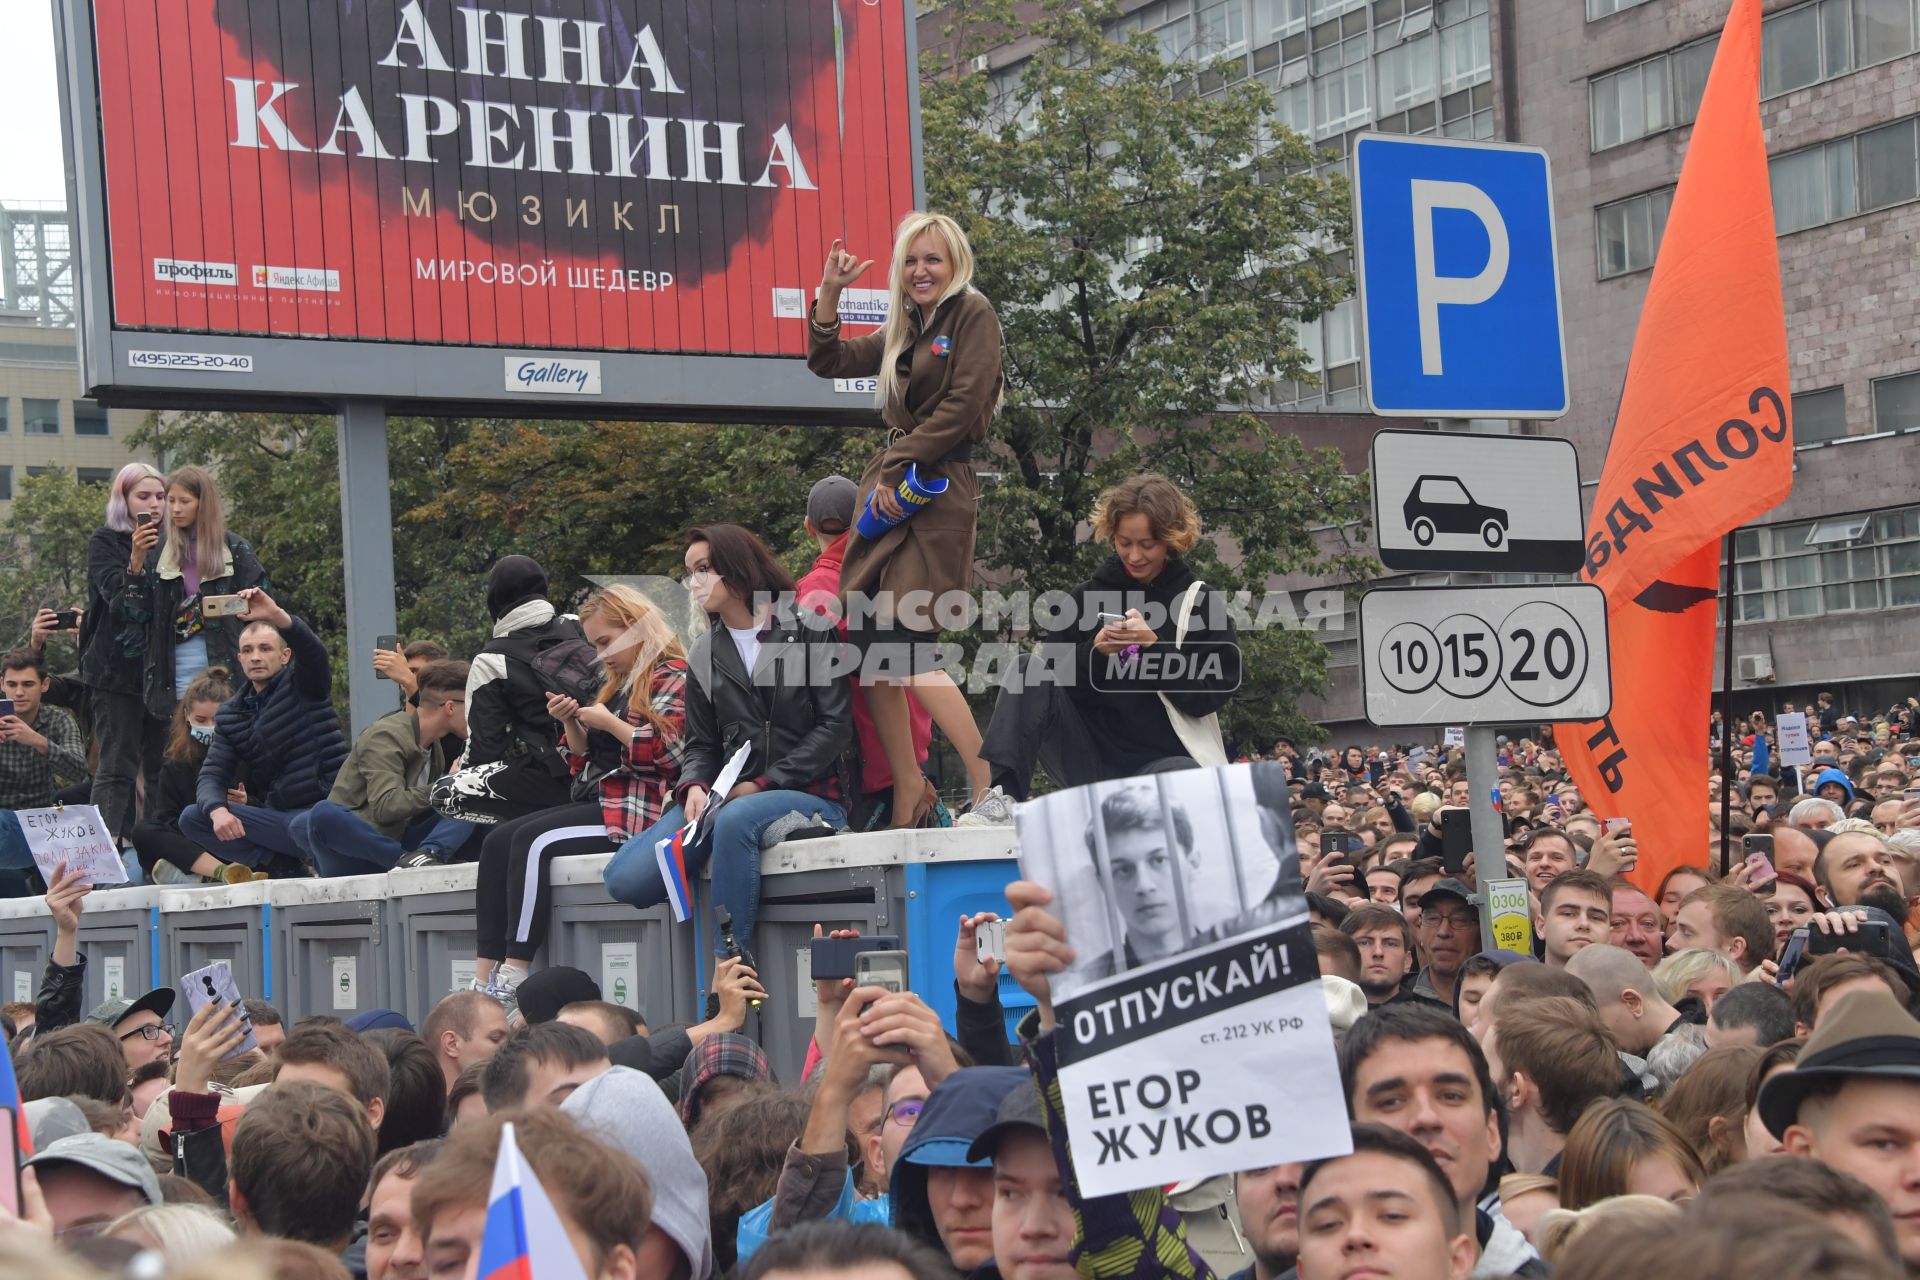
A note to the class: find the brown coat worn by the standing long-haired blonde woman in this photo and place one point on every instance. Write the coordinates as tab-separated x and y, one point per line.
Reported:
946	412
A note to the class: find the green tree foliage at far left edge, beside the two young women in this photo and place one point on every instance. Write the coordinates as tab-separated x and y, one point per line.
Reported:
43	556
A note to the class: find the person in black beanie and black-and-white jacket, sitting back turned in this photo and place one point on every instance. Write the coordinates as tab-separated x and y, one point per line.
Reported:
514	763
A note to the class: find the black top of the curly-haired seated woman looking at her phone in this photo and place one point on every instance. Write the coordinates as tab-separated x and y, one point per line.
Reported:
1124	715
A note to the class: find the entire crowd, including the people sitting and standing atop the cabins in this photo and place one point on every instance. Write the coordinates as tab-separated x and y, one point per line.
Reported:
1698	1078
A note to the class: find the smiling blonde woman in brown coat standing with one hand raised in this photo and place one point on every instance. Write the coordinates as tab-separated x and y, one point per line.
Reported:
938	364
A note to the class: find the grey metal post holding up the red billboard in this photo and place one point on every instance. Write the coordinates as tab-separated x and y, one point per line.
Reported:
368	552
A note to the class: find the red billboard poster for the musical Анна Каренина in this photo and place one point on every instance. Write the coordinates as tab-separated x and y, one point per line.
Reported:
625	176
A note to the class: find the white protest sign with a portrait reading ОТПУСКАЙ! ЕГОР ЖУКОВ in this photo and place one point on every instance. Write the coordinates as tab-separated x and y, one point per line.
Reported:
1195	985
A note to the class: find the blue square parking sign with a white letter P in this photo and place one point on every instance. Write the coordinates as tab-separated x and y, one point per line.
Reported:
1458	279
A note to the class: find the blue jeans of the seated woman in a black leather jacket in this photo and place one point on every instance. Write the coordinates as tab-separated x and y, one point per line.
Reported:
635	874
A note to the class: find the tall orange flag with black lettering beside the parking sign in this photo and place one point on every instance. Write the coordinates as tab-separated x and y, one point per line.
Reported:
1702	446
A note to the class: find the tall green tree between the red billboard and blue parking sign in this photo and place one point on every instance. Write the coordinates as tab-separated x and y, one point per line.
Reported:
1149	250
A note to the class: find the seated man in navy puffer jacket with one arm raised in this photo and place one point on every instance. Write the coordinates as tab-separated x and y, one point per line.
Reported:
283	728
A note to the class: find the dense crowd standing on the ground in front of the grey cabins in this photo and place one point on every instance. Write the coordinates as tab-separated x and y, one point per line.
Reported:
1710	1079
